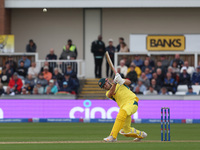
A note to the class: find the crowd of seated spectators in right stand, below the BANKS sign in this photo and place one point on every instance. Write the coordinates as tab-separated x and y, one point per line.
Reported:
162	77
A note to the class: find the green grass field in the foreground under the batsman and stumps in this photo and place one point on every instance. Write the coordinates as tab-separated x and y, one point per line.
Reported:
78	136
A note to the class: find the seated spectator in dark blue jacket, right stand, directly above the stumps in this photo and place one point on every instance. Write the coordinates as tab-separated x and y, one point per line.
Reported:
170	83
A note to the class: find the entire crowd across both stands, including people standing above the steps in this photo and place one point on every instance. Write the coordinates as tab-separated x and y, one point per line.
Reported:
148	77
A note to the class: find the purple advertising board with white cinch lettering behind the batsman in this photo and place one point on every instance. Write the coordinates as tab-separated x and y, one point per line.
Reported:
92	109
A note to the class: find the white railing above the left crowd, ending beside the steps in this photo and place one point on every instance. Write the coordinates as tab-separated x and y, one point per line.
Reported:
77	65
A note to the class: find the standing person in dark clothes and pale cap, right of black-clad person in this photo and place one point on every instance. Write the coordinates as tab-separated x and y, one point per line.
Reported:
111	51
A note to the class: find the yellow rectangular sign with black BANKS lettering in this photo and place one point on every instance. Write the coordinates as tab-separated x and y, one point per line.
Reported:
165	43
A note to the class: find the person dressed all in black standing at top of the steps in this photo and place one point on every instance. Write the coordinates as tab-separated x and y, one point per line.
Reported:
98	49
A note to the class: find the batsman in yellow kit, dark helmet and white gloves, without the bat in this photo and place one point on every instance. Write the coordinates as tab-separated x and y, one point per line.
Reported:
128	104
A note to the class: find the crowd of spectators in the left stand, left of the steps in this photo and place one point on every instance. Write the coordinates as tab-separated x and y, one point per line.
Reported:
25	77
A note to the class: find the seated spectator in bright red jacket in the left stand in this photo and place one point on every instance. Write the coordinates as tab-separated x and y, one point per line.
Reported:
15	85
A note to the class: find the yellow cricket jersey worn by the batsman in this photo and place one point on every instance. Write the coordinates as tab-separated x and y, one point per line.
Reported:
123	95
